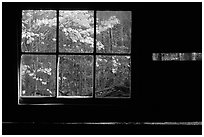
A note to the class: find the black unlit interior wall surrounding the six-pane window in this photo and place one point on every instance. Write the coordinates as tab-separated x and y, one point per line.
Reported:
161	91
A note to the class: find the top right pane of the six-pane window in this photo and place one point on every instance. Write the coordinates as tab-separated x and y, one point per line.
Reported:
113	31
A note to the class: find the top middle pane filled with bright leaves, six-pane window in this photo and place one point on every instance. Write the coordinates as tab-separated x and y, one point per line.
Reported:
76	31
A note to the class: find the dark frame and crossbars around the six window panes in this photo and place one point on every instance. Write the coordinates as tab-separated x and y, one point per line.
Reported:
61	100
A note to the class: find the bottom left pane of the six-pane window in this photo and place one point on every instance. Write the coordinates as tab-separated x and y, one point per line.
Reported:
38	75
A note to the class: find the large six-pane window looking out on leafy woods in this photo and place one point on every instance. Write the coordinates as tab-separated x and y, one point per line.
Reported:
75	54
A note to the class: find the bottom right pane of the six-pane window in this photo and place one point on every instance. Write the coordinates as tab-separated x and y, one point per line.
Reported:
113	76
